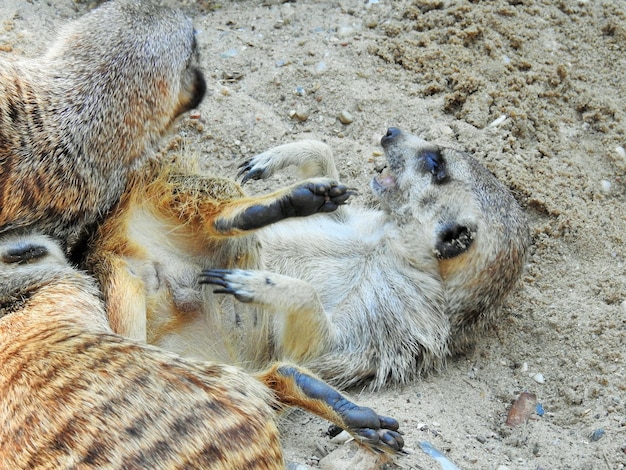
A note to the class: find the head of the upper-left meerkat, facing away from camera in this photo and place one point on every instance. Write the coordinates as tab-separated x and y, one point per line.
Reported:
125	71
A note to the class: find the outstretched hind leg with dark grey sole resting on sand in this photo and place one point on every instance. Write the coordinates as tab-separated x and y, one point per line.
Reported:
296	387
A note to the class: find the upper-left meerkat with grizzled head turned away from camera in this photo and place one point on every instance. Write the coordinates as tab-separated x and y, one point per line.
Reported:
77	120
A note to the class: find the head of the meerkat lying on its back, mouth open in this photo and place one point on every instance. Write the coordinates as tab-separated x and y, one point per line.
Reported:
478	232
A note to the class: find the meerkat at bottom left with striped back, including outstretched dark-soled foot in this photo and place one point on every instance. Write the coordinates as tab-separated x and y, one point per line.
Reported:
75	395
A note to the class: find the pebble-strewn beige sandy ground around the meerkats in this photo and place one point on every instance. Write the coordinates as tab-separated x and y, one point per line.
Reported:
535	90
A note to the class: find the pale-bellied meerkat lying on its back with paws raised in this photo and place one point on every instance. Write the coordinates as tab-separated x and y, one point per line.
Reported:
361	295
